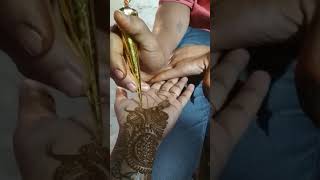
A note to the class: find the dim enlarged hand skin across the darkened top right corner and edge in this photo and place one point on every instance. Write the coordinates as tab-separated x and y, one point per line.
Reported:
238	24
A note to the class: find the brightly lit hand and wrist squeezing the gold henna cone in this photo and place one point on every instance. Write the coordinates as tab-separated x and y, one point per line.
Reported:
156	47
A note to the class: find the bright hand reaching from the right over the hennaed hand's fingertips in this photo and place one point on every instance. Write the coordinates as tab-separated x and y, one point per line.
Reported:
186	61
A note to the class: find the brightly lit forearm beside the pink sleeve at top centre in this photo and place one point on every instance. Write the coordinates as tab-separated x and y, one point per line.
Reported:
171	23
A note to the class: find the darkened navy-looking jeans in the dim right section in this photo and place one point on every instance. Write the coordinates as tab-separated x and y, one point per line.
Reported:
291	151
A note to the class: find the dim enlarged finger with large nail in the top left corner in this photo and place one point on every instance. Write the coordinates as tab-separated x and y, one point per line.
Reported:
28	25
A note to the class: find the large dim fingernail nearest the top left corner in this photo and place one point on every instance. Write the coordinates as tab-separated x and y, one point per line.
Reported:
30	40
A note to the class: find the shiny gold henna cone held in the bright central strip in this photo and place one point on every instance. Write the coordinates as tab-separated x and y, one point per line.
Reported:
131	52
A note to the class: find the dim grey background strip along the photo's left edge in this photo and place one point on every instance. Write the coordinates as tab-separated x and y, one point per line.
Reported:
9	82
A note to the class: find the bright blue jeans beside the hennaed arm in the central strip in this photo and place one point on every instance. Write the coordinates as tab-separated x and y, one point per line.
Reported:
179	153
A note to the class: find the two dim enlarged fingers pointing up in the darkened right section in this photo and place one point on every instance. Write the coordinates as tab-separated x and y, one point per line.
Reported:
231	121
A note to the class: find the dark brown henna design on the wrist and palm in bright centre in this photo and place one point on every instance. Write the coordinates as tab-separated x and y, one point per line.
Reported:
144	130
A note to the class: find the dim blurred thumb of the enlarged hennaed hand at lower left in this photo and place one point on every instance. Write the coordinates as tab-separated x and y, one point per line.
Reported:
35	105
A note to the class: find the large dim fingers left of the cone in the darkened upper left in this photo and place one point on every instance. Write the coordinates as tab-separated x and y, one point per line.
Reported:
33	36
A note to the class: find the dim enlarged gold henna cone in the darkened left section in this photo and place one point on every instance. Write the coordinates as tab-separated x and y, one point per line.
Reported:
79	22
